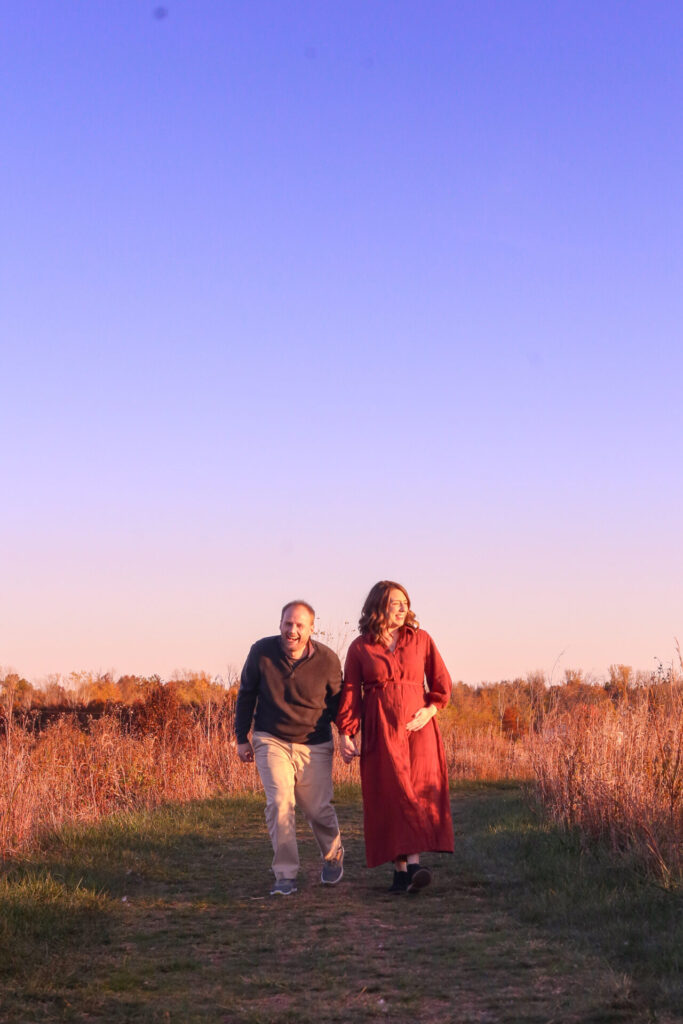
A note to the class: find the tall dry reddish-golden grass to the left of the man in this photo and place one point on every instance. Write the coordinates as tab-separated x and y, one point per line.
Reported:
66	775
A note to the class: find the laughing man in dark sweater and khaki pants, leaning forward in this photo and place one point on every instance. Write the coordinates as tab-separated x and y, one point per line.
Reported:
290	692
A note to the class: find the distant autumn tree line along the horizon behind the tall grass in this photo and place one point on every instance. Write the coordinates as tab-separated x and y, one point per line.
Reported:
513	708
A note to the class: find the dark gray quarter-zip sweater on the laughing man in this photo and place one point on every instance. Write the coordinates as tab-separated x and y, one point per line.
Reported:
294	701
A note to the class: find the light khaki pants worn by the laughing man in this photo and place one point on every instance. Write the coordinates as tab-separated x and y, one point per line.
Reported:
296	775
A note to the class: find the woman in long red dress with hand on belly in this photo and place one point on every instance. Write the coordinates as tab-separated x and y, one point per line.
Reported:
403	769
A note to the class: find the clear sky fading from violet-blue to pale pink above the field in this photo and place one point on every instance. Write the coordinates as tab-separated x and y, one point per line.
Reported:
298	296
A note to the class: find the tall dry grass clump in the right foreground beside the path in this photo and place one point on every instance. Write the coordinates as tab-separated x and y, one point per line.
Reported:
617	774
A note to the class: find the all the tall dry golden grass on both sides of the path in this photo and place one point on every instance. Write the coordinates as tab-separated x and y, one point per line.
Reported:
614	772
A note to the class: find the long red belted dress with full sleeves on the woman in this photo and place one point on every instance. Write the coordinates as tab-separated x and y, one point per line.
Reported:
404	776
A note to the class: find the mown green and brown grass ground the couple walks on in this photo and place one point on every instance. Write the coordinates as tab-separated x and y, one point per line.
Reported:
165	917
